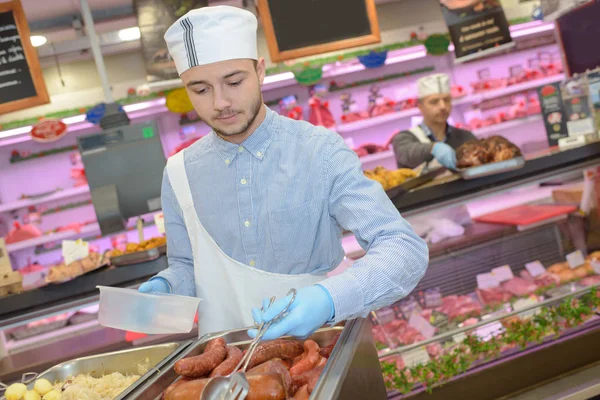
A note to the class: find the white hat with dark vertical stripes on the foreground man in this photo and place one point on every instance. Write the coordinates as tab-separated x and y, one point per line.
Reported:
211	34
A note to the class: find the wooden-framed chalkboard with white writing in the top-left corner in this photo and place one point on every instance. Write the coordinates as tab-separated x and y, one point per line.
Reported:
21	81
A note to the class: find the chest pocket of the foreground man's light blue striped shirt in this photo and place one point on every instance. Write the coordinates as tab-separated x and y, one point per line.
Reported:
294	231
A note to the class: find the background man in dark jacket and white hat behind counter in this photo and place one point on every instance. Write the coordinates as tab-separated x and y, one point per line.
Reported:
434	138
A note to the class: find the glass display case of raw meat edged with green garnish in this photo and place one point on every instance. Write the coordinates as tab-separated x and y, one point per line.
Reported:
503	306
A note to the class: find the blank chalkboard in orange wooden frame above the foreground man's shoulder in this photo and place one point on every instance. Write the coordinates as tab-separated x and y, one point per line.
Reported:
295	28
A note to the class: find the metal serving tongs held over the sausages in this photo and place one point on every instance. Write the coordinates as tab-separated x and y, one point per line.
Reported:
235	386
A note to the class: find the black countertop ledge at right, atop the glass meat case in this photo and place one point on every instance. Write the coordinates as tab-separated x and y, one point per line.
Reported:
552	166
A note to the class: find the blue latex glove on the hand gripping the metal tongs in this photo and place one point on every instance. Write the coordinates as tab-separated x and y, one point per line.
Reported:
312	308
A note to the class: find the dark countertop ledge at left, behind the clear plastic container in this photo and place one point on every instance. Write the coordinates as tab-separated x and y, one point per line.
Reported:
80	292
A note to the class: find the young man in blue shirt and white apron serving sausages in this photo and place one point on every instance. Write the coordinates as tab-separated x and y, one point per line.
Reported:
257	207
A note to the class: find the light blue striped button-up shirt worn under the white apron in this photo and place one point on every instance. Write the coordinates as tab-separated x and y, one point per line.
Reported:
279	202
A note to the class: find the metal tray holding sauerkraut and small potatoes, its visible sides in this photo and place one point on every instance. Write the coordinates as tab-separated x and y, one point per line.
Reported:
125	362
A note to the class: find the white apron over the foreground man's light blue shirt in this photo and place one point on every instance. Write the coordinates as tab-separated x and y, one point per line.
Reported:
228	289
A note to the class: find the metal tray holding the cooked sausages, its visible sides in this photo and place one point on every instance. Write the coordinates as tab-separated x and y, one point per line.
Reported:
355	341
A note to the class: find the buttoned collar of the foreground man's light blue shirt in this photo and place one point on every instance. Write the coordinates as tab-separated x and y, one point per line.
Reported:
257	144
